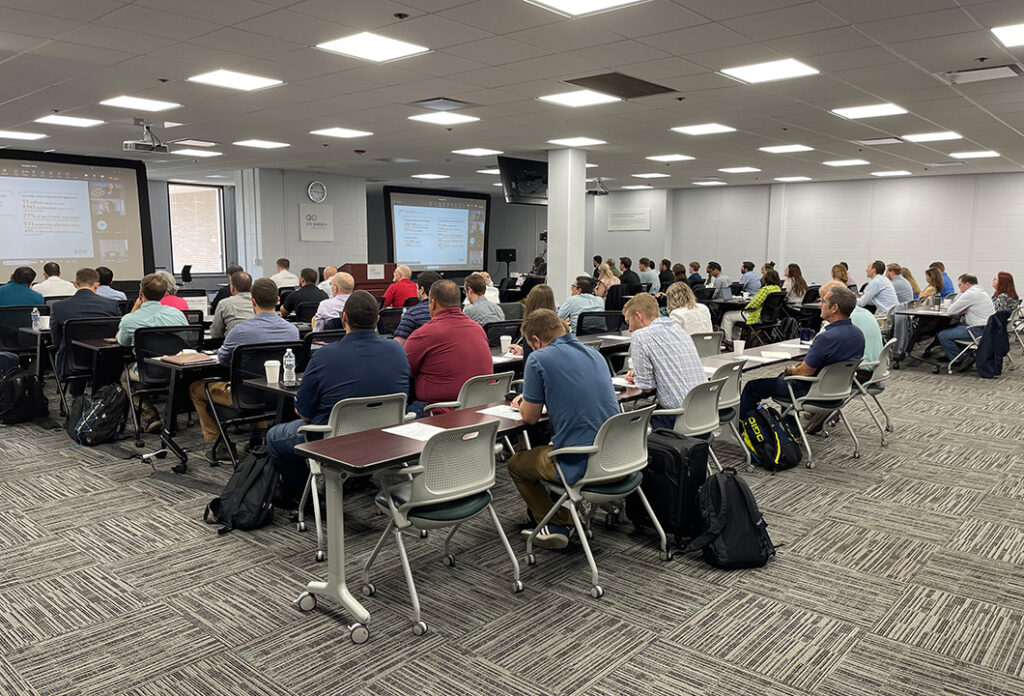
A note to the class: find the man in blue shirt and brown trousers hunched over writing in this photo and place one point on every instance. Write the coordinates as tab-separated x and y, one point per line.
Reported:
572	380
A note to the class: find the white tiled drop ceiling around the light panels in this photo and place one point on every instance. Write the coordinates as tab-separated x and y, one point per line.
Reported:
68	56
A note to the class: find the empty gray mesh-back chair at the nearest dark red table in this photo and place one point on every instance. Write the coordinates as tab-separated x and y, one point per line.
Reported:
451	484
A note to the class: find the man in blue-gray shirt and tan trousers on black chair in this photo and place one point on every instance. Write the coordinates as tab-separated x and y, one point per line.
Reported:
265	327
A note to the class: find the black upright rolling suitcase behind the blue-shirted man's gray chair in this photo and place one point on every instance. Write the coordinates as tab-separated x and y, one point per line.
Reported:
677	465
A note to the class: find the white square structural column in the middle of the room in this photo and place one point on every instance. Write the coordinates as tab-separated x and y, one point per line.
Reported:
567	219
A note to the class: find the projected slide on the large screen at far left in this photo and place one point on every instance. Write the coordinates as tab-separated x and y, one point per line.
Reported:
75	214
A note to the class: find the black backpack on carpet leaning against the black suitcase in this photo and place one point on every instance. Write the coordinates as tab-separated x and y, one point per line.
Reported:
736	535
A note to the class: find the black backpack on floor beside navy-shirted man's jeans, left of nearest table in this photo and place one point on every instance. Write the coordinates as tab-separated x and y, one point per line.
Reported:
247	502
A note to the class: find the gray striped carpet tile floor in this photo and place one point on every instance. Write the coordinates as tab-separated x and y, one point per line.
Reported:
903	574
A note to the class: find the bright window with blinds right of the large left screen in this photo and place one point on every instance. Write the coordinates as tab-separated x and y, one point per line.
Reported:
197	228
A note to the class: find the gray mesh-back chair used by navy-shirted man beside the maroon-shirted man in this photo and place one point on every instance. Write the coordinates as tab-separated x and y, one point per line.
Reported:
349	416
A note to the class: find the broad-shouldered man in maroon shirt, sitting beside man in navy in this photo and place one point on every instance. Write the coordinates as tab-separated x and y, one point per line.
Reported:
447	351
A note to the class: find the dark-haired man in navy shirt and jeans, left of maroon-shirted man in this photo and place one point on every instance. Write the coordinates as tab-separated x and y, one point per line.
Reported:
363	364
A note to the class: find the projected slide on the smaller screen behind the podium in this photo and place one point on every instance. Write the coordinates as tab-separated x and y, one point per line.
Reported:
439	231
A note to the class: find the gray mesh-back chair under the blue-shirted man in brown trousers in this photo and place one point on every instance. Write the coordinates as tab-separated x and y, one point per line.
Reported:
615	470
